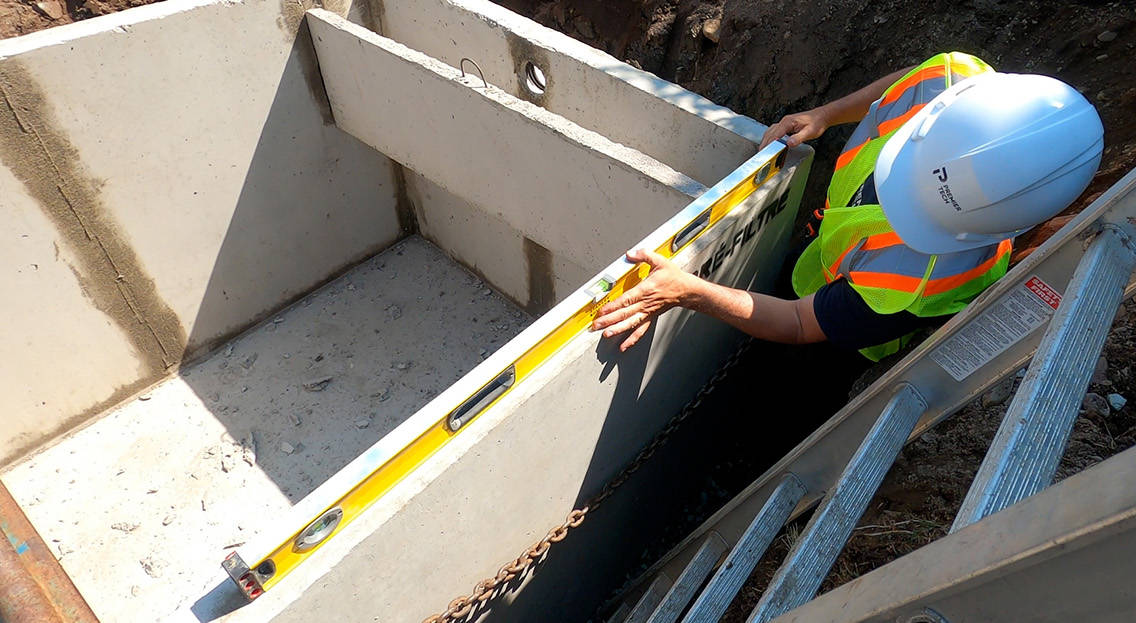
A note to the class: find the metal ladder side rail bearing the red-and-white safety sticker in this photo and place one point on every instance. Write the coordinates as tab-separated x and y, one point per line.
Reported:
817	461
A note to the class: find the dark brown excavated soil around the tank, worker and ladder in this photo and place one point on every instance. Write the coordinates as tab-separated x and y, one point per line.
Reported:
767	59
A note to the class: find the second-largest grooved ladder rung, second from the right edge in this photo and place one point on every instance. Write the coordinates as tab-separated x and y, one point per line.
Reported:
807	564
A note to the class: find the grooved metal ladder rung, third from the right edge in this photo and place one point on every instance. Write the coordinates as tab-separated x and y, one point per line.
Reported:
722	589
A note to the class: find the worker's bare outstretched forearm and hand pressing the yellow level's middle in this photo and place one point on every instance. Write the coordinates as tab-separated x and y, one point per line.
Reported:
759	315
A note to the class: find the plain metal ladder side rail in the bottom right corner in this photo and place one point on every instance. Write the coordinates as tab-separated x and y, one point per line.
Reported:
1075	566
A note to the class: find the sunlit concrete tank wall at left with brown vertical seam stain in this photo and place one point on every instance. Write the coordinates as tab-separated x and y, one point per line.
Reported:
170	176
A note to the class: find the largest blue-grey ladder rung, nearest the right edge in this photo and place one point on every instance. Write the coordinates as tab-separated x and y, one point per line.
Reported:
1029	446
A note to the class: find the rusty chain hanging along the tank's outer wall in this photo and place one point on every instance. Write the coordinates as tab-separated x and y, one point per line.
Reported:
463	607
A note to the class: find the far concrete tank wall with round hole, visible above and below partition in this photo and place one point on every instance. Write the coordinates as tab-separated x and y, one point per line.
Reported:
596	92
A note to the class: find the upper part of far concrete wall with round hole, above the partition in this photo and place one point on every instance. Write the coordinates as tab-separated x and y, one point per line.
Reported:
594	89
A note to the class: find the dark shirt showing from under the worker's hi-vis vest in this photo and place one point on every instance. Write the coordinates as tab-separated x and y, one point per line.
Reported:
845	317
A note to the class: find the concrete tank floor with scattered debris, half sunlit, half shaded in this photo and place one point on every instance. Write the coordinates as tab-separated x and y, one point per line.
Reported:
144	504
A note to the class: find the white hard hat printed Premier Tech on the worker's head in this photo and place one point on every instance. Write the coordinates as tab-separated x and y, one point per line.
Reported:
987	160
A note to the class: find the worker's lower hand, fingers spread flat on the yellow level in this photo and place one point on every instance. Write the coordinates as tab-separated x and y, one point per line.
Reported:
666	287
